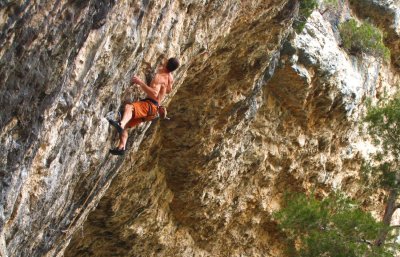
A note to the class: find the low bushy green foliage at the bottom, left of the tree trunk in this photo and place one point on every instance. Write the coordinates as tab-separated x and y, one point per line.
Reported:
334	227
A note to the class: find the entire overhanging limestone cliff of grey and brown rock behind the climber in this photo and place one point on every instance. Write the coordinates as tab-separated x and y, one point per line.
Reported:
256	110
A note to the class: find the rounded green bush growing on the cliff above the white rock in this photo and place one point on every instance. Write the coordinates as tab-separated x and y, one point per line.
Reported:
364	38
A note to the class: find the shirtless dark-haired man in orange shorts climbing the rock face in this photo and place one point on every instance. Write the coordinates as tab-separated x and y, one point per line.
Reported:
146	109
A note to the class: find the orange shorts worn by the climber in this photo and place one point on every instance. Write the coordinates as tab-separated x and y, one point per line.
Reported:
144	110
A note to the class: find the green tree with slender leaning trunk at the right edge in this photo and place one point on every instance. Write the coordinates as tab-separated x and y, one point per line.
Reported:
384	172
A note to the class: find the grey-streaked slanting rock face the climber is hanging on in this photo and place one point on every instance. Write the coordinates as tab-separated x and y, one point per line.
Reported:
64	65
